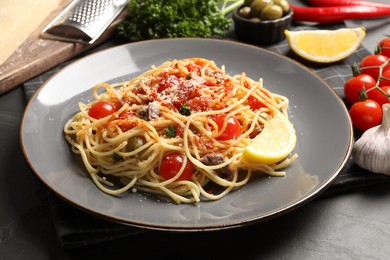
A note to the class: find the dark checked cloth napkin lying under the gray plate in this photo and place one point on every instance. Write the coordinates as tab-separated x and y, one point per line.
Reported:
75	228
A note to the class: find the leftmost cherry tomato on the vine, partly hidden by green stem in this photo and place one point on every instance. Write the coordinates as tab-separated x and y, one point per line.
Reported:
354	85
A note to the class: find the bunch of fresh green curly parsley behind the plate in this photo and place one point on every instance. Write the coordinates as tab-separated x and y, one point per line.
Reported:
151	19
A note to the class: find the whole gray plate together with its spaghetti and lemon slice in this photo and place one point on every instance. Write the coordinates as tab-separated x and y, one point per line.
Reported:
169	134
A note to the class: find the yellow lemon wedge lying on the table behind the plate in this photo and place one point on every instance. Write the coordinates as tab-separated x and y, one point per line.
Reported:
325	46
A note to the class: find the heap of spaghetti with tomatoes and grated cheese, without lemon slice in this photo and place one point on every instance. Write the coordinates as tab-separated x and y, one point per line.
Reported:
177	130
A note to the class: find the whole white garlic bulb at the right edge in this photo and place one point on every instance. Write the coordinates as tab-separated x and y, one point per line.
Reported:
372	150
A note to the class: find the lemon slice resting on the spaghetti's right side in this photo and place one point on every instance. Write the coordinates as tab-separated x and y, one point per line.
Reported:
273	144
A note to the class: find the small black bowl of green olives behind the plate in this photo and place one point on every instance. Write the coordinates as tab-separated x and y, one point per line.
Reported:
262	21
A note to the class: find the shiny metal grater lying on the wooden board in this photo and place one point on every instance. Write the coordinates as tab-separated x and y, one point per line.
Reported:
83	21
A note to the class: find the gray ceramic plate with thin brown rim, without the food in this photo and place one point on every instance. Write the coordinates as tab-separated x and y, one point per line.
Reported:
323	129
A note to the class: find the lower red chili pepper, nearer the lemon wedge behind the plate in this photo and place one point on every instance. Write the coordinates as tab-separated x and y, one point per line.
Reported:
338	13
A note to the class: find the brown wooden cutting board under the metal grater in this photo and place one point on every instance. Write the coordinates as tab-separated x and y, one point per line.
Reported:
37	55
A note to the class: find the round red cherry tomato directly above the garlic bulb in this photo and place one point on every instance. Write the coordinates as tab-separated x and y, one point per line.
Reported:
366	114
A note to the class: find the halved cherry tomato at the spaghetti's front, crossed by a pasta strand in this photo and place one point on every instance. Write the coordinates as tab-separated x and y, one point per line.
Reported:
171	165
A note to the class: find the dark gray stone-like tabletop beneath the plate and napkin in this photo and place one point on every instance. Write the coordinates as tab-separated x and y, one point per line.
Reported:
346	222
